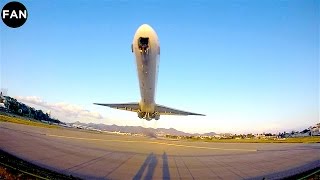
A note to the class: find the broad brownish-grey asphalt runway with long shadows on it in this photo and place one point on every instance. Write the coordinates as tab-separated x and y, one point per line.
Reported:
91	155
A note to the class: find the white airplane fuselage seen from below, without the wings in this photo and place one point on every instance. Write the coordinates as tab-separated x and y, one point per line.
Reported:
147	61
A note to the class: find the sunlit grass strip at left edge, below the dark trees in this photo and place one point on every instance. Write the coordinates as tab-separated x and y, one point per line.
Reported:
20	120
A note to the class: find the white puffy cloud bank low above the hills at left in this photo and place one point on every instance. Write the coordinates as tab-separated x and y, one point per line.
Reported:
69	110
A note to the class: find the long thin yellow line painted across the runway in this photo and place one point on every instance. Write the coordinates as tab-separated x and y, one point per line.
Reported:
151	142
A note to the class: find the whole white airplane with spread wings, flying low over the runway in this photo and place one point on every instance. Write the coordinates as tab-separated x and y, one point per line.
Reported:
146	48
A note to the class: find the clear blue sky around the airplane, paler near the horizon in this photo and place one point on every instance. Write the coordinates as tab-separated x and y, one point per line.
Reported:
250	66
